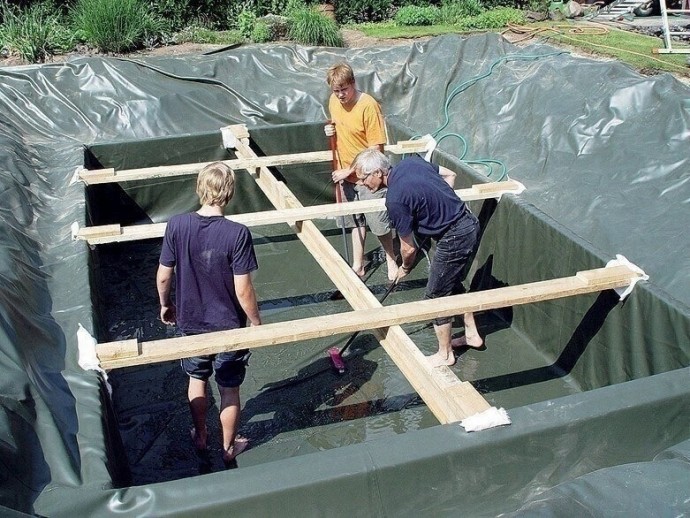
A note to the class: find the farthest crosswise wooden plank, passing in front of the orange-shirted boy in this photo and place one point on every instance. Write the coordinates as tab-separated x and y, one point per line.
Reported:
100	176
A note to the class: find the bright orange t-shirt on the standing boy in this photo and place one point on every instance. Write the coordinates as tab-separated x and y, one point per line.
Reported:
356	129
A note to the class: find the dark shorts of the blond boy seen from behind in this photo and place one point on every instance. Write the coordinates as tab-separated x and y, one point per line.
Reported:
230	367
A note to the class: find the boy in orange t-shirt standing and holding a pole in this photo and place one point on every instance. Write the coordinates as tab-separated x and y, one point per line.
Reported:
357	122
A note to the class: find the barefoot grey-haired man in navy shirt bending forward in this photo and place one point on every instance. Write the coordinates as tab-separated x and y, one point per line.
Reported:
421	200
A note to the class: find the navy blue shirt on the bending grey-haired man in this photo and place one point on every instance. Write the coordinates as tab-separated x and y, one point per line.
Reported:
419	199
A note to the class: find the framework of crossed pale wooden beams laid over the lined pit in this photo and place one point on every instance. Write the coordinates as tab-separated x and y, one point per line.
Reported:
449	398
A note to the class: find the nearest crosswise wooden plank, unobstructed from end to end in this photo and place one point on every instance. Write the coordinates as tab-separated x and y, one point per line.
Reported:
125	353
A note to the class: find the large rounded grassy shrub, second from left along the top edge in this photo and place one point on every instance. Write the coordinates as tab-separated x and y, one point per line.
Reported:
117	25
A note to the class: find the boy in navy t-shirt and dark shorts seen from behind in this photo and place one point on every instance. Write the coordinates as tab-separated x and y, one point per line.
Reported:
211	259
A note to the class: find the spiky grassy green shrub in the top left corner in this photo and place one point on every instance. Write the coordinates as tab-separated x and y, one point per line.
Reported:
35	32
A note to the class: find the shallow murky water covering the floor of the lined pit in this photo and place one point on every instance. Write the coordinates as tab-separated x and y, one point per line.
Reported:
293	401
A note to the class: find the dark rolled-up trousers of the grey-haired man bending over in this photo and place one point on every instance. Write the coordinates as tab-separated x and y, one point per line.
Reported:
449	264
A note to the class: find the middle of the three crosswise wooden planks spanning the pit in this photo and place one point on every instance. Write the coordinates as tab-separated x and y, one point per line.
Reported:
102	234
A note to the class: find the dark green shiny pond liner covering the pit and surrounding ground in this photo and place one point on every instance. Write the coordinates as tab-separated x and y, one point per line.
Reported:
597	389
